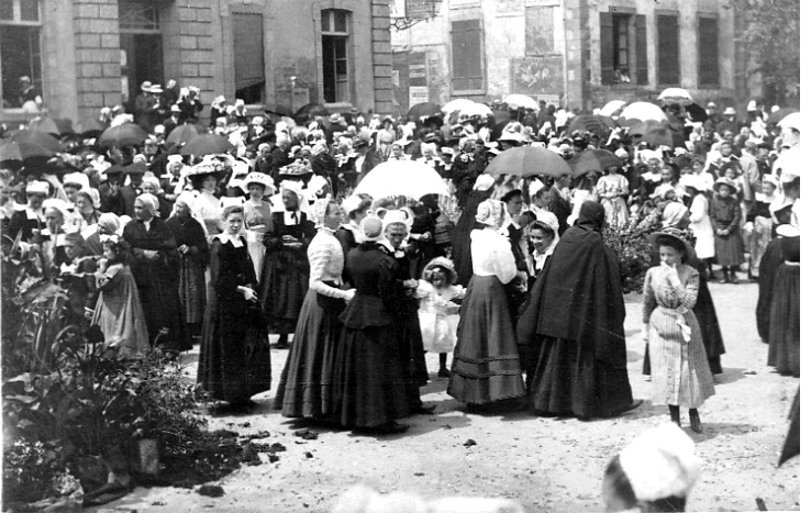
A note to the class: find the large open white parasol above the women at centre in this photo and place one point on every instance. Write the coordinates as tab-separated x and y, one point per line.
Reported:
401	178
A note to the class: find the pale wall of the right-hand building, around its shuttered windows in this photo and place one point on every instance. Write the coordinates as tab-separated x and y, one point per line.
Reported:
568	68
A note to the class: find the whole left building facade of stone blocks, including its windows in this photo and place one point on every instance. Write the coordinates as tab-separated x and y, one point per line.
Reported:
86	54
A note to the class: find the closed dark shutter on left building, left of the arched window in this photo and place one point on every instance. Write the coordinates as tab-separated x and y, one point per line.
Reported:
248	49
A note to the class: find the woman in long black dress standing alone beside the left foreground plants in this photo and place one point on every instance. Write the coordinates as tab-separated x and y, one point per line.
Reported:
235	351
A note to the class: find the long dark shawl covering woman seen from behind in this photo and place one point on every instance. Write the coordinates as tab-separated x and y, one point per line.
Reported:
578	294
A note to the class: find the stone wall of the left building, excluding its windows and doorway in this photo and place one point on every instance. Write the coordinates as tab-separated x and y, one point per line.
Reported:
81	52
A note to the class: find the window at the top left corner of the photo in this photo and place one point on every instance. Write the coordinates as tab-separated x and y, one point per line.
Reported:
20	51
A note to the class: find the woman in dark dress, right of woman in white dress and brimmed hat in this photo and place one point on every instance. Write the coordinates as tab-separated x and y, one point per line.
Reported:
285	274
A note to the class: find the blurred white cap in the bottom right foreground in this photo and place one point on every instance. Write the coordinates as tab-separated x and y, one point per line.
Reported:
661	463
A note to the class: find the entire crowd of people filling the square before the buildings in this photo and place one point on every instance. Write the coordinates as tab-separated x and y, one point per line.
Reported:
510	274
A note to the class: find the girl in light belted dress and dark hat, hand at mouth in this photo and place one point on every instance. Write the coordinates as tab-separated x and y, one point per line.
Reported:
679	367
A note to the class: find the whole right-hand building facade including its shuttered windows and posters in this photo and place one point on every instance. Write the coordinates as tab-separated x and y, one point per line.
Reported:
577	53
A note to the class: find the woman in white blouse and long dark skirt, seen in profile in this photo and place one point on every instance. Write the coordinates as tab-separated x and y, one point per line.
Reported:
305	388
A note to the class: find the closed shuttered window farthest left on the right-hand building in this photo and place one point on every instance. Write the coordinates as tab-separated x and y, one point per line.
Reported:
468	56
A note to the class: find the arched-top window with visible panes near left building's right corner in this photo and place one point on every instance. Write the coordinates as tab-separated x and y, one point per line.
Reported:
336	50
